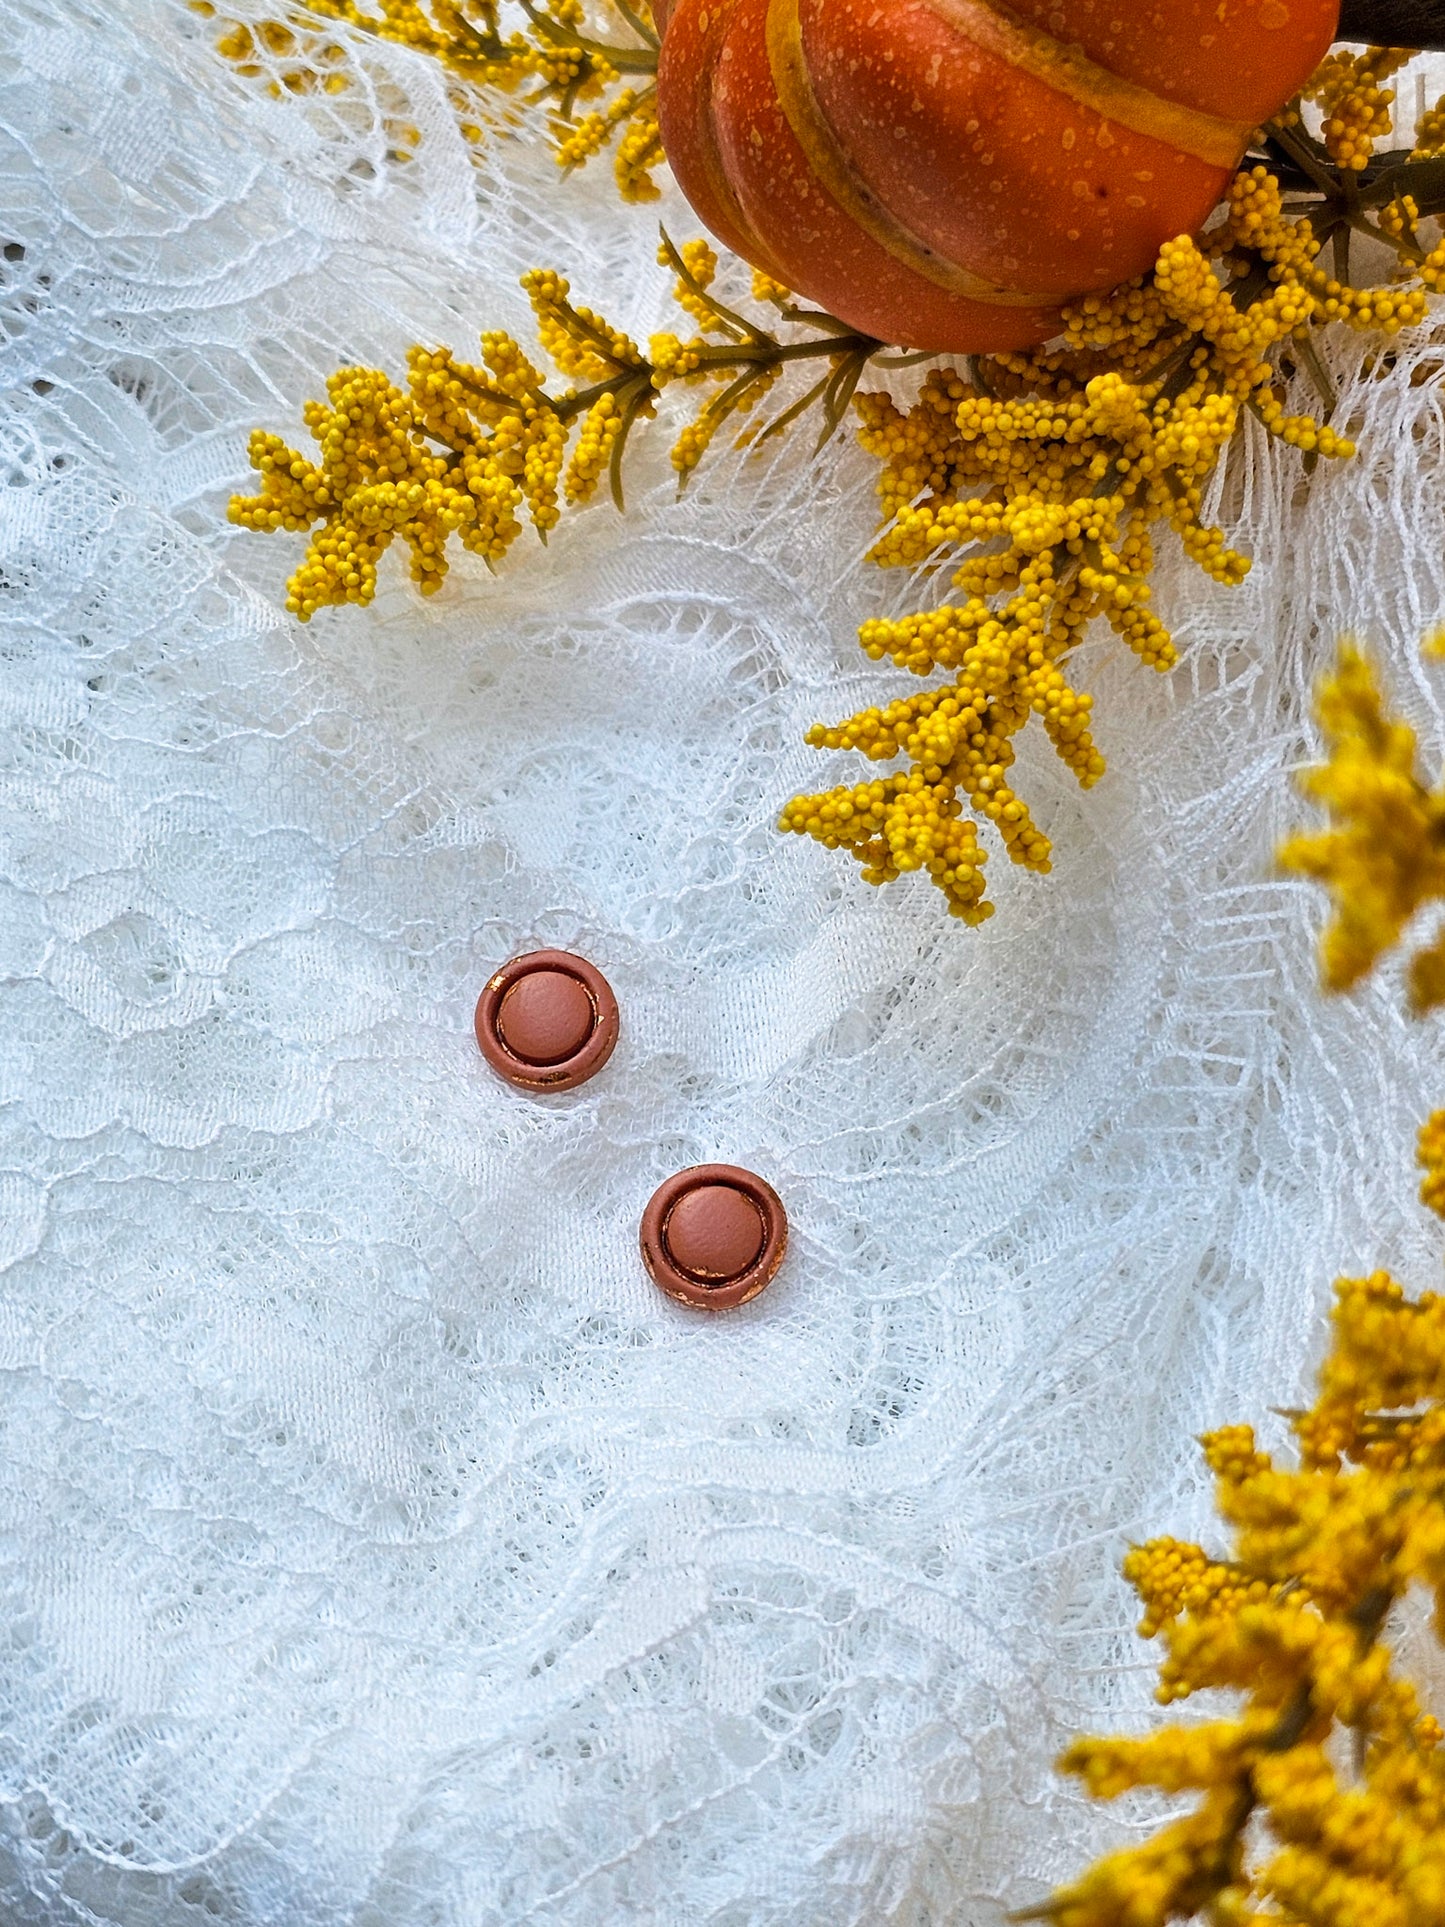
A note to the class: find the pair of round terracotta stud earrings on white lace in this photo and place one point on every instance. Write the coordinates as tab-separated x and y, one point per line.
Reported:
712	1236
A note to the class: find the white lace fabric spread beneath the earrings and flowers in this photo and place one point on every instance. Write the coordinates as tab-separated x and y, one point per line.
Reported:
377	1544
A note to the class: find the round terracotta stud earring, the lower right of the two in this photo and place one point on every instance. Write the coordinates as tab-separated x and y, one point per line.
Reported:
714	1236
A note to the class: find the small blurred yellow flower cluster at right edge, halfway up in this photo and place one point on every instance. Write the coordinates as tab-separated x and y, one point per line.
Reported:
1384	855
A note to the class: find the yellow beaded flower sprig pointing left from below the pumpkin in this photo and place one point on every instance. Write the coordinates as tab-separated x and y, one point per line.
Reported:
465	450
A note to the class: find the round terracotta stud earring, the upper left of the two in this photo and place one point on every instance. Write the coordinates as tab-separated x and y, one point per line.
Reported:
548	1020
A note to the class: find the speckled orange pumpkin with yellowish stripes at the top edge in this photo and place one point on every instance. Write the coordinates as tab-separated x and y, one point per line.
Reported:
945	172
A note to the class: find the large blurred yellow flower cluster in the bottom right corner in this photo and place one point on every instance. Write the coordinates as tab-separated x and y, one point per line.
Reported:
1323	1801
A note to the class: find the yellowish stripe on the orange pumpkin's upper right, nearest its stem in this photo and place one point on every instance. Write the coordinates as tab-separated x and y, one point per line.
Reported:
995	30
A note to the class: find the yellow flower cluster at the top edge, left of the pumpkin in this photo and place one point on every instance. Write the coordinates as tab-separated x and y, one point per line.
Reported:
546	47
